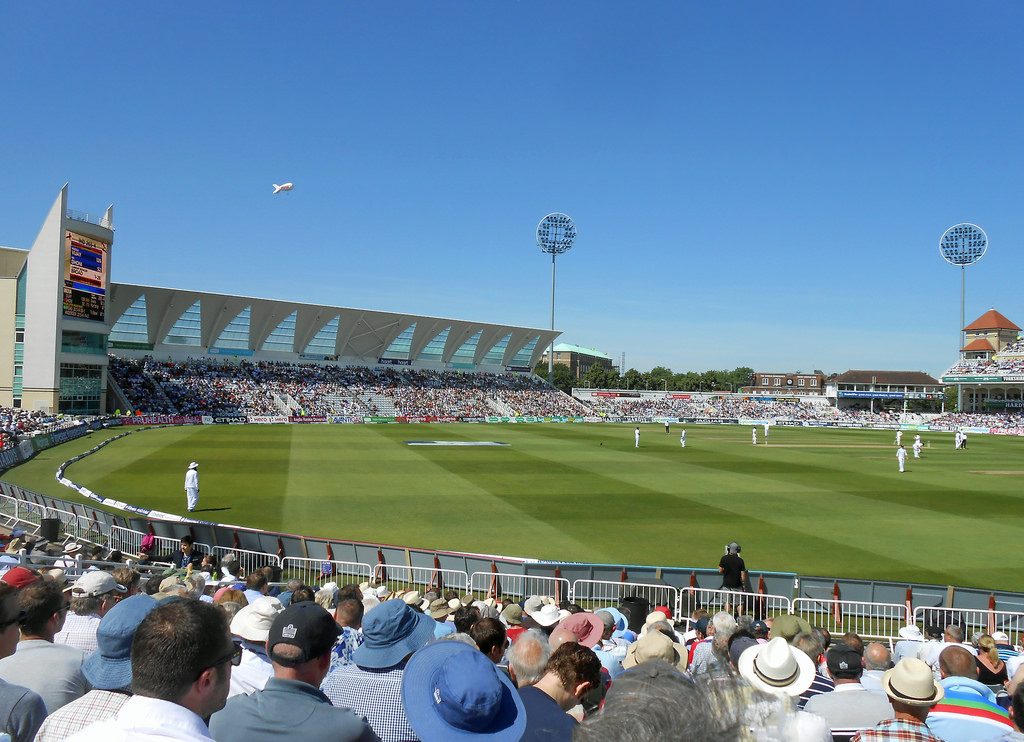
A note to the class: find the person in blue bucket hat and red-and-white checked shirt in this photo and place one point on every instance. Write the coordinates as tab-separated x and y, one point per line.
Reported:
108	671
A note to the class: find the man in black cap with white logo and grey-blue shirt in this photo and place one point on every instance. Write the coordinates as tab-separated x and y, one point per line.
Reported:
300	645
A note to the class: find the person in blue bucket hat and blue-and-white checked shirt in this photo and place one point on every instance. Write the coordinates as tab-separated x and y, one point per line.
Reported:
372	687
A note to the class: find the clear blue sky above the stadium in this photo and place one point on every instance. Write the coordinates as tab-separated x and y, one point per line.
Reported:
754	184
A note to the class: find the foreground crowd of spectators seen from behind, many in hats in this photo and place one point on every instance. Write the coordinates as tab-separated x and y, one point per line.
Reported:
189	648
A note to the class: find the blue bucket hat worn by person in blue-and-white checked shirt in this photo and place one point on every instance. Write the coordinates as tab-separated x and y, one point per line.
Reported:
391	632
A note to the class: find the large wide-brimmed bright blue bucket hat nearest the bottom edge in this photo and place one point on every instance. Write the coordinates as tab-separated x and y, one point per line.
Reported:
451	691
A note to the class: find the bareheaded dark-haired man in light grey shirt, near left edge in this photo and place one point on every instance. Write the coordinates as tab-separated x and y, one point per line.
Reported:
53	671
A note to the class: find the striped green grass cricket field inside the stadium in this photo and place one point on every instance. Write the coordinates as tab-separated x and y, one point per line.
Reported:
814	501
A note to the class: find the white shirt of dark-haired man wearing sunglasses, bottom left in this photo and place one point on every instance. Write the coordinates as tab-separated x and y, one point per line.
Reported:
144	720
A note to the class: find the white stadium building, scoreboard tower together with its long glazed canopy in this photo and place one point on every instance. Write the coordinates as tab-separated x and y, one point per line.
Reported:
62	316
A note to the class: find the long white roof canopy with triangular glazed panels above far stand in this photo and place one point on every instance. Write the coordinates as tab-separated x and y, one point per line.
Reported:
164	319
